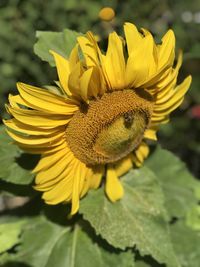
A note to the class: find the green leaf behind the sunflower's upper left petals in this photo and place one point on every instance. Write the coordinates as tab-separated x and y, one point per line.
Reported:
60	42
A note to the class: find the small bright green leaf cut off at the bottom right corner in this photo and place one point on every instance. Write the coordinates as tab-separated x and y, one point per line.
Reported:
186	244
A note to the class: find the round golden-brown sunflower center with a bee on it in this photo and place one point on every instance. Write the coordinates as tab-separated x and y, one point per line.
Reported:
109	128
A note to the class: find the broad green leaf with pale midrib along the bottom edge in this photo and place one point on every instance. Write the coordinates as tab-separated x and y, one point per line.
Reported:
45	244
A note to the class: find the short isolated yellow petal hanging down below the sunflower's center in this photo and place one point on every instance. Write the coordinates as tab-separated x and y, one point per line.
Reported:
113	186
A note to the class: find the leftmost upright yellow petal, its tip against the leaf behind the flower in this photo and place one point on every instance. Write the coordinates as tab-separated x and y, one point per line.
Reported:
63	70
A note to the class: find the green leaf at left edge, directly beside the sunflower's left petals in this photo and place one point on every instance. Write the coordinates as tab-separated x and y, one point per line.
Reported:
12	159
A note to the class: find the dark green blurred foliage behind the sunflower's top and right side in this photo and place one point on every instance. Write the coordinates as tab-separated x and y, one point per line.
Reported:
20	19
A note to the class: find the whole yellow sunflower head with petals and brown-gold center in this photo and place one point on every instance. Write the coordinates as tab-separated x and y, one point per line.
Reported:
97	121
